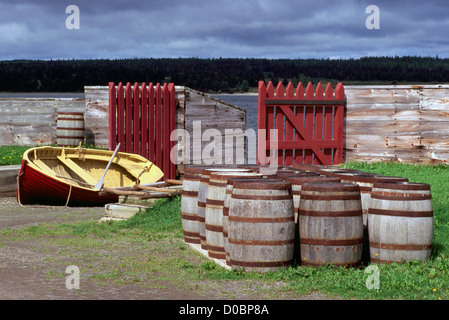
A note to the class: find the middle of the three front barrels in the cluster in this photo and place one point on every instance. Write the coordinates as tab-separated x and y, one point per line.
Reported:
330	224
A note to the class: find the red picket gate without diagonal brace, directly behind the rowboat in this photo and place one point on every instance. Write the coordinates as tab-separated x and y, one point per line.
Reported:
141	119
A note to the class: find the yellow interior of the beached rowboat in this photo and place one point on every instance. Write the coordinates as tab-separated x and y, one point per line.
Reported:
84	167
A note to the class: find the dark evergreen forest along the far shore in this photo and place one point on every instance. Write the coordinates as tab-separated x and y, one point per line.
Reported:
226	75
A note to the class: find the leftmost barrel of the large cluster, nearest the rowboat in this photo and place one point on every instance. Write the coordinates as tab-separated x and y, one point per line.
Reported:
189	204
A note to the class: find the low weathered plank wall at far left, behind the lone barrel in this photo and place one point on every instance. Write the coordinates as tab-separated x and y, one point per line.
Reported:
32	121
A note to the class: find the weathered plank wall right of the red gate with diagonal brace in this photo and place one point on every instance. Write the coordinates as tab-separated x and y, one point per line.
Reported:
397	123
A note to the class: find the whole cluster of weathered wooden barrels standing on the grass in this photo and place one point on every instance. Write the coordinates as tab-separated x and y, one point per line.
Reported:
309	215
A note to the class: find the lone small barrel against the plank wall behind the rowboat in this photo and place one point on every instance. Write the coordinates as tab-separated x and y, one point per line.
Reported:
70	129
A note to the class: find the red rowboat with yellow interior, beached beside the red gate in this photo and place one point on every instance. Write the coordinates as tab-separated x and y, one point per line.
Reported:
71	176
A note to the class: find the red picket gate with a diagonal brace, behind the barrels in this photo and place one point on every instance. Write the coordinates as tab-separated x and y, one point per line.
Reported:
310	124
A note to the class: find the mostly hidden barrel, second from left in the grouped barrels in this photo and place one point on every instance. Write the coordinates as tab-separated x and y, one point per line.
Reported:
202	194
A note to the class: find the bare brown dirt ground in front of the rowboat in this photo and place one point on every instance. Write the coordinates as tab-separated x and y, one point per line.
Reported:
27	271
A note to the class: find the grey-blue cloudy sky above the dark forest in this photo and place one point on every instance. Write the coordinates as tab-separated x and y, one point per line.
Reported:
37	29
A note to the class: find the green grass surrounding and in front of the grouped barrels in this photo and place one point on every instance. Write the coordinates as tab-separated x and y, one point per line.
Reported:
150	243
